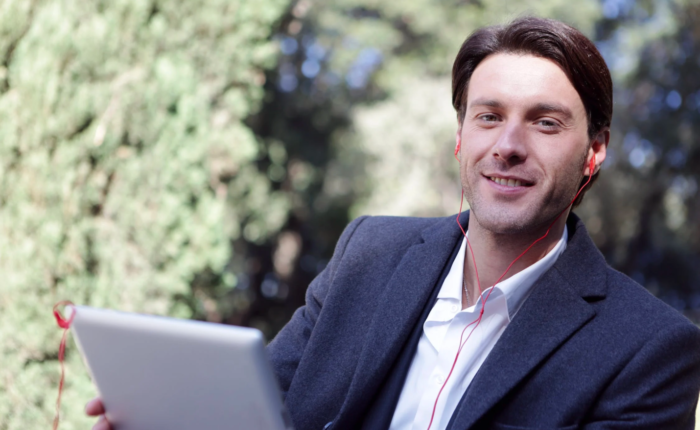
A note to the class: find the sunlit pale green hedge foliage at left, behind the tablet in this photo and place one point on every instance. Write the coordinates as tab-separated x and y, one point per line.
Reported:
122	134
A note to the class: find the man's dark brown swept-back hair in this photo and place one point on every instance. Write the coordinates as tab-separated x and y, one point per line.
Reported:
569	48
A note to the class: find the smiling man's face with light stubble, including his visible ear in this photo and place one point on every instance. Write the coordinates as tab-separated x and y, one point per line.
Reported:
524	143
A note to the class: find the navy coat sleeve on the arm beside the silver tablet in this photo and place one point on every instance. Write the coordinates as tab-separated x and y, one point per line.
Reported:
287	348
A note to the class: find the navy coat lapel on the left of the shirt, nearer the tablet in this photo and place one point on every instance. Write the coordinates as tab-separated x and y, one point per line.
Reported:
405	296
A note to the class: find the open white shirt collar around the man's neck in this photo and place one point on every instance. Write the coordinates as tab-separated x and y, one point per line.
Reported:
515	289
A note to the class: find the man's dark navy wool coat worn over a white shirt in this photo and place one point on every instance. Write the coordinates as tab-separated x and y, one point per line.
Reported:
590	348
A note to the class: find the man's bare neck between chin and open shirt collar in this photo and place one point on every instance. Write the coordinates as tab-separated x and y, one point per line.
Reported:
494	252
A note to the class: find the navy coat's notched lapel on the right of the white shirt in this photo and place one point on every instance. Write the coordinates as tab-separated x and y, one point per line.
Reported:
555	310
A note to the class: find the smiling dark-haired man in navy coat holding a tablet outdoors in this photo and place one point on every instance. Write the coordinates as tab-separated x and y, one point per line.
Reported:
412	326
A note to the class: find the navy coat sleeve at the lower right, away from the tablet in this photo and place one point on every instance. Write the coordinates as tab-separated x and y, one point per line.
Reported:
658	388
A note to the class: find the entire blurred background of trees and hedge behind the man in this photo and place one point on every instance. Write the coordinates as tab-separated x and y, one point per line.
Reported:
200	158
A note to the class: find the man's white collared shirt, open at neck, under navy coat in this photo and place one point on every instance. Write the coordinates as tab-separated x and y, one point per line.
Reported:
439	342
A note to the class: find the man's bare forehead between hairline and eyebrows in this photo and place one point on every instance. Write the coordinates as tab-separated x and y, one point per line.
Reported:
516	80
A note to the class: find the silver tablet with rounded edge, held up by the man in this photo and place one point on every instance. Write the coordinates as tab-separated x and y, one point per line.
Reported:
163	373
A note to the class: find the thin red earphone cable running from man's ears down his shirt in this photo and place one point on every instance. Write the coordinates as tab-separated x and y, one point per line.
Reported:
477	321
